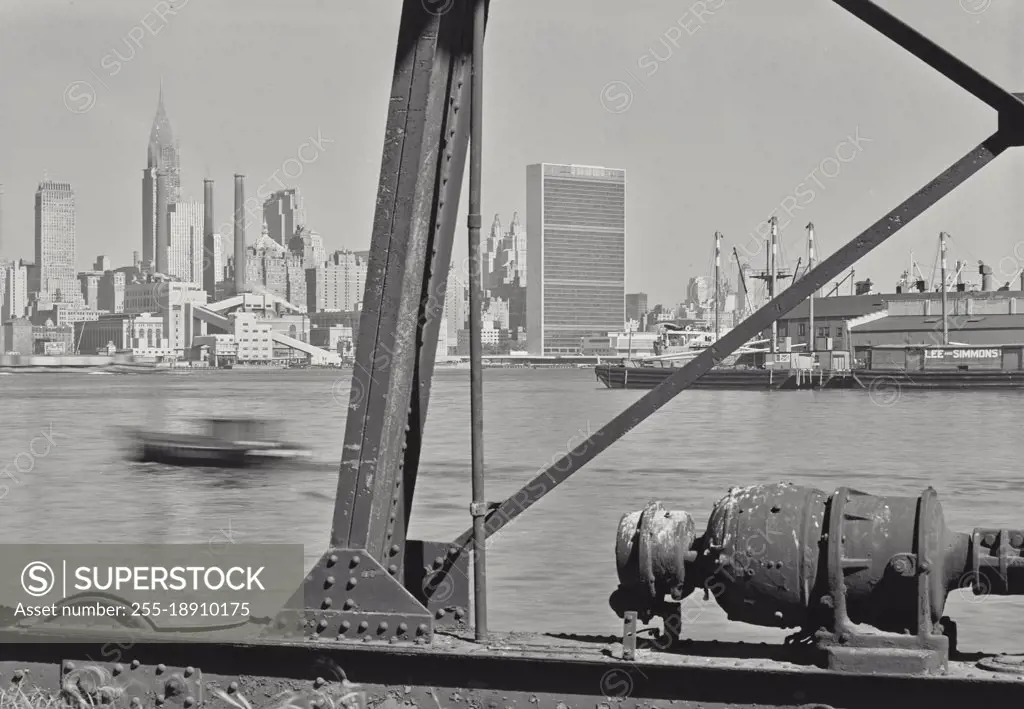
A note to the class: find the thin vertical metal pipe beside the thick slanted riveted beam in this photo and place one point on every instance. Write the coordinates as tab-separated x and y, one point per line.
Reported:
479	507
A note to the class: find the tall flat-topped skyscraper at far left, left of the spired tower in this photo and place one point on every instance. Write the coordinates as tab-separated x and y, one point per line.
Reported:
56	277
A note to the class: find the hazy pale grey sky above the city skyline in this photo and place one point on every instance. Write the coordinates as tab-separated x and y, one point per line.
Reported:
728	117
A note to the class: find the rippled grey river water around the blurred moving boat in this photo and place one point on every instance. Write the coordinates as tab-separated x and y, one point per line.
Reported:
553	568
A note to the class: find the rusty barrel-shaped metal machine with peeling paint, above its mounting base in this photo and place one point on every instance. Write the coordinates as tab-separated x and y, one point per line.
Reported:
785	556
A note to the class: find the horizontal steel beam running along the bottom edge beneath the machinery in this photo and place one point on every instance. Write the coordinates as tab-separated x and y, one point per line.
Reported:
546	678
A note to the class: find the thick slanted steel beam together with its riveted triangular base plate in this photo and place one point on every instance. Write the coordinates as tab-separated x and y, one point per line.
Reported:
393	593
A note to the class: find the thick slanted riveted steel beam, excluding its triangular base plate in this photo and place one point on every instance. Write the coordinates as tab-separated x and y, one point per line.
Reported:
411	249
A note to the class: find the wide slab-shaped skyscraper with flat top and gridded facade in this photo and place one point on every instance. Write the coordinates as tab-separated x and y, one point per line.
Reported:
576	234
